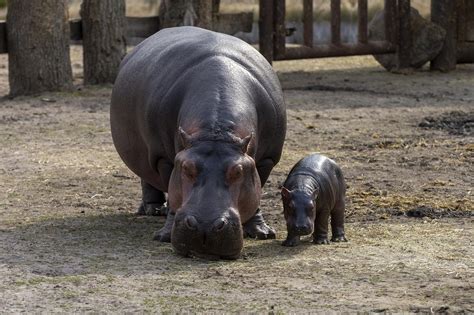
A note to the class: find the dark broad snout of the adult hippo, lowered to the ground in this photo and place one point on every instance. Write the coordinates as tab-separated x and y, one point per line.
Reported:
219	237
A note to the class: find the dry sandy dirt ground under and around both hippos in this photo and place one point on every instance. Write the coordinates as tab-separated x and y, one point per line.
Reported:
70	241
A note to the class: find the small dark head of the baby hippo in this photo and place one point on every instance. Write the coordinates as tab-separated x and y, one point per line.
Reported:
299	209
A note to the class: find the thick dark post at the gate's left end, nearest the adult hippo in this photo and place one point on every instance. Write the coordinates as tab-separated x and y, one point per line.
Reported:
266	29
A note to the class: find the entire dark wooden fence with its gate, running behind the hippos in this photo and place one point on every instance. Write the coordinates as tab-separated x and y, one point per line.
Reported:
273	29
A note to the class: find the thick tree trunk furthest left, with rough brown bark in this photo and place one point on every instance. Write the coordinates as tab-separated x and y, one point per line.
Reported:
38	45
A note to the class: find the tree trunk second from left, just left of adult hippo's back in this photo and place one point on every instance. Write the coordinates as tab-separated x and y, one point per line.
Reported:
103	29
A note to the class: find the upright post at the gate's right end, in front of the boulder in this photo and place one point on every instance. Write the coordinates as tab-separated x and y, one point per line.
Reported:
404	37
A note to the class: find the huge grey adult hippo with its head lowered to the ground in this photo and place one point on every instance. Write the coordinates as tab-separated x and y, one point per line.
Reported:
200	115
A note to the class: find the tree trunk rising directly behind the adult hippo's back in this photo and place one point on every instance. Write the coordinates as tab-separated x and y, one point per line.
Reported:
188	12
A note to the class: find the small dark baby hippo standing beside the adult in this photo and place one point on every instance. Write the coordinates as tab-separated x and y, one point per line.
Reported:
314	189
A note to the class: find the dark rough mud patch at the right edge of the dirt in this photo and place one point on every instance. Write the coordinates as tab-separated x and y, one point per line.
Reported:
455	122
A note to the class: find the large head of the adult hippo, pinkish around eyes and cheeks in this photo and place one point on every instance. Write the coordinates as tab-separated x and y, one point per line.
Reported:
214	188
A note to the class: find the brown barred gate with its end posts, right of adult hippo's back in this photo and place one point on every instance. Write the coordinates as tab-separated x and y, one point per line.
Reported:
272	32
